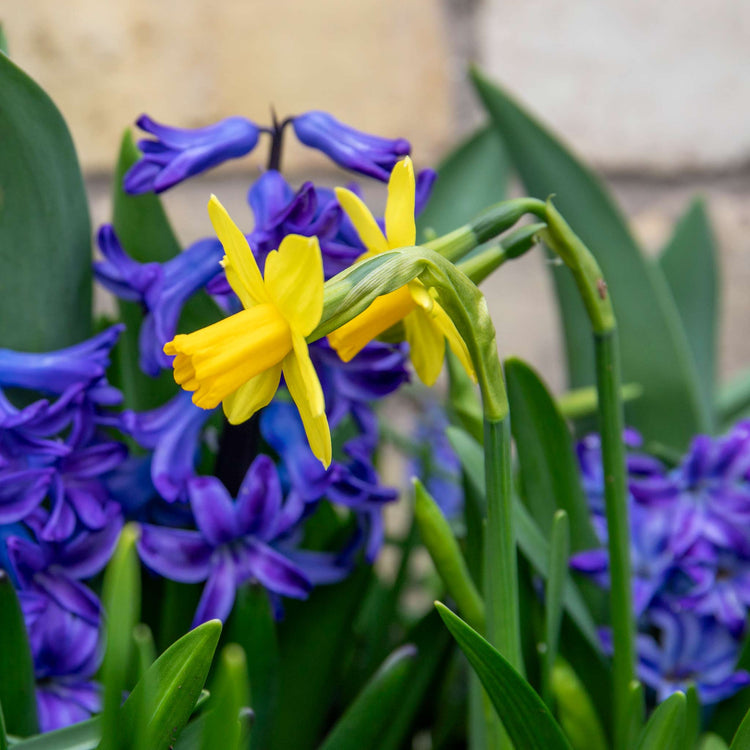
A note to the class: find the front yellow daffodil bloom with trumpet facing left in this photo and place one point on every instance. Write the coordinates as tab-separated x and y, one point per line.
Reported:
239	360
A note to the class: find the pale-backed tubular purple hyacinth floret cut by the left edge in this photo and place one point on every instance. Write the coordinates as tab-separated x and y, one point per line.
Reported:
54	372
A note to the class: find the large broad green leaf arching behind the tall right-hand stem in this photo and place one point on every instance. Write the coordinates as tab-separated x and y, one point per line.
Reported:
655	350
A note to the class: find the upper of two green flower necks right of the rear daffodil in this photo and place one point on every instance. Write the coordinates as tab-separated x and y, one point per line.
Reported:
485	226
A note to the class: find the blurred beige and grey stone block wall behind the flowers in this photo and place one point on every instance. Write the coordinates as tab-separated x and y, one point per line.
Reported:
655	95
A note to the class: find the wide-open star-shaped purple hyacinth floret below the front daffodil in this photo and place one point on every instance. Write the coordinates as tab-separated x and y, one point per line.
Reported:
235	542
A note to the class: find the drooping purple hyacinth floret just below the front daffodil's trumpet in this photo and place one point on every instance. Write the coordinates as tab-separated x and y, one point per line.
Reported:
172	431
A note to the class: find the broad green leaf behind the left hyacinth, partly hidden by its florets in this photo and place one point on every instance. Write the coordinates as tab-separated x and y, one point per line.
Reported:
144	230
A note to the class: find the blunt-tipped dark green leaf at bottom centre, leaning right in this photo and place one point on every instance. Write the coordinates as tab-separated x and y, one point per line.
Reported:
359	728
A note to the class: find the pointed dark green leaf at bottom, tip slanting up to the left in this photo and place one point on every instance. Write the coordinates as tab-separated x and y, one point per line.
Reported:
525	718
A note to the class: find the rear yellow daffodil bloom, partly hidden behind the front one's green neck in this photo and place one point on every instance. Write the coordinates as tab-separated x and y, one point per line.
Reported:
426	324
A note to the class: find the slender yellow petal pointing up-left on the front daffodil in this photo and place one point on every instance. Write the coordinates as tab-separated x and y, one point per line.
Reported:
240	266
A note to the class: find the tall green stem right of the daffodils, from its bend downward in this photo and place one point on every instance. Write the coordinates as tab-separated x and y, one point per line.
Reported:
588	276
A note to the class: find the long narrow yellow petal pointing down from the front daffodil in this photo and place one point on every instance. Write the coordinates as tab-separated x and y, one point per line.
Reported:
304	387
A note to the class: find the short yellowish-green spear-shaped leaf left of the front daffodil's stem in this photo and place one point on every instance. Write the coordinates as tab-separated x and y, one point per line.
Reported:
443	548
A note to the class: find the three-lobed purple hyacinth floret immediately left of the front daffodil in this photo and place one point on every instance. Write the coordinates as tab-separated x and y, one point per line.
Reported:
161	288
